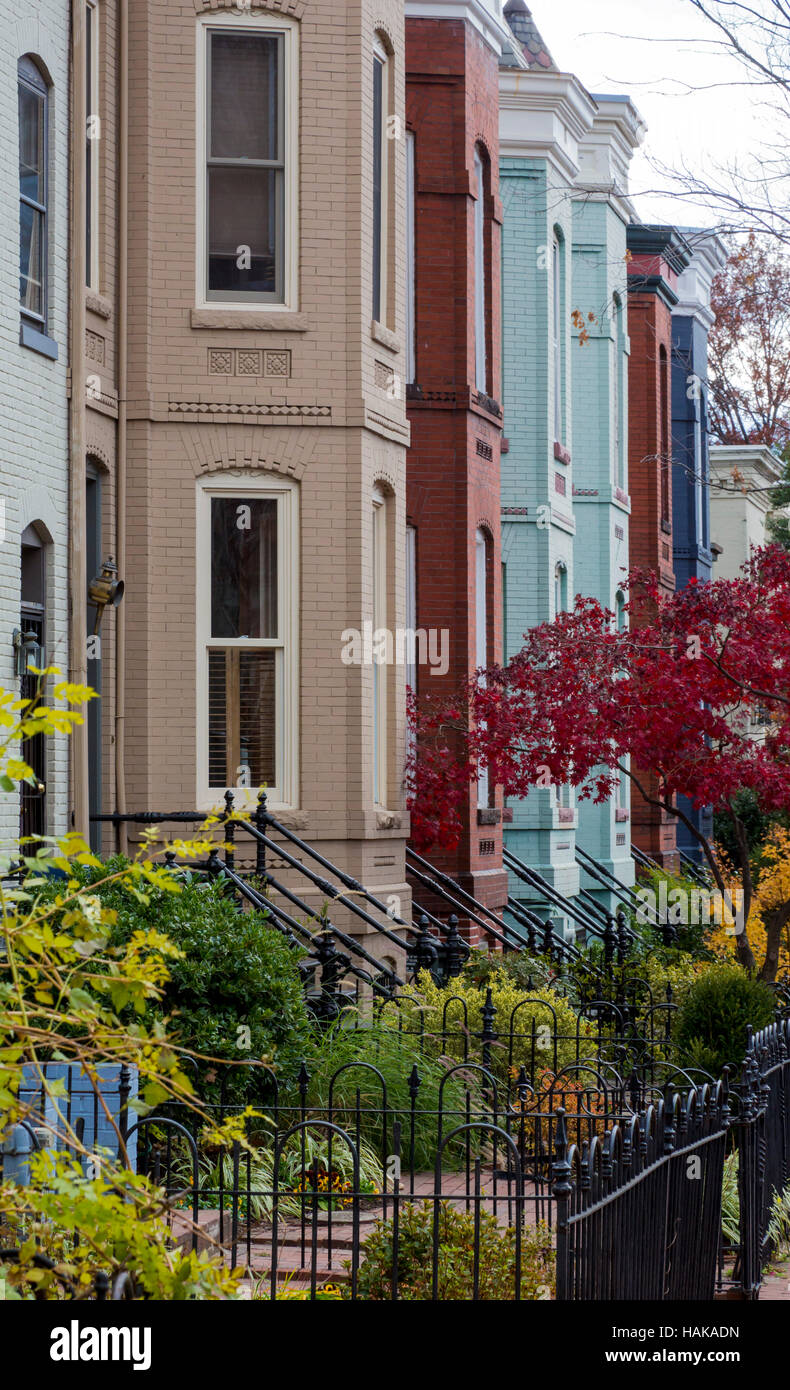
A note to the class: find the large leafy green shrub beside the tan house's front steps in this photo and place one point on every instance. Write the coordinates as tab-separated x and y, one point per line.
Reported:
237	974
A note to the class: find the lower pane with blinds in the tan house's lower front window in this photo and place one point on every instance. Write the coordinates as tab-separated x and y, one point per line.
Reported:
241	718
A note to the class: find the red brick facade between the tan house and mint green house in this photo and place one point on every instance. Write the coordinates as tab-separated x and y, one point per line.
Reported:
453	486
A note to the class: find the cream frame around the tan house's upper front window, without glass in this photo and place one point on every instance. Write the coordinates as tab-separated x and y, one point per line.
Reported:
290	30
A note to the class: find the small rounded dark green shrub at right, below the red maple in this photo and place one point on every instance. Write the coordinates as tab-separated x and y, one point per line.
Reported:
713	1021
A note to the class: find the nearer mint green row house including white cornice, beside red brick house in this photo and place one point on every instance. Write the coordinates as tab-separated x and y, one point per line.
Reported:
545	117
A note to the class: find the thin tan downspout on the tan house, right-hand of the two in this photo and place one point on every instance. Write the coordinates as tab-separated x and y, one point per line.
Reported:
123	393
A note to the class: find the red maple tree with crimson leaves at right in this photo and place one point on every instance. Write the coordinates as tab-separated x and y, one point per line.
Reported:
681	693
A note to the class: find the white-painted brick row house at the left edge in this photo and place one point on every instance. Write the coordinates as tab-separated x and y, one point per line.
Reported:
35	354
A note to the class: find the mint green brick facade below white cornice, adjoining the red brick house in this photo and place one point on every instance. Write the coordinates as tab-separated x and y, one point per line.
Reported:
538	487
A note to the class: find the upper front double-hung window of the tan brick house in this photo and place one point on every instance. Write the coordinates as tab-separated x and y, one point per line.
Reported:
248	162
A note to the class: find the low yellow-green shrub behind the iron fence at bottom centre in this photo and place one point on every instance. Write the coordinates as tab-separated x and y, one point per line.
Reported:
497	1259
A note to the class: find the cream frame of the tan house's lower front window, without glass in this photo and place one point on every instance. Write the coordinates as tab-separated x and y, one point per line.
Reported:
286	792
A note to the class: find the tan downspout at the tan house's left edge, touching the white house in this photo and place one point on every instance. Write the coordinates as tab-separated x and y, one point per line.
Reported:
77	523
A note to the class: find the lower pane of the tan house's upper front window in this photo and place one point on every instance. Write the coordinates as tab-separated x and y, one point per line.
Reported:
245	212
